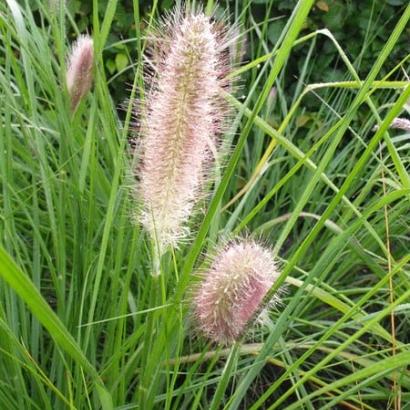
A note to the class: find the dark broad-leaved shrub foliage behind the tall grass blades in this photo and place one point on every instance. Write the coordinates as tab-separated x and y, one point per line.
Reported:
361	26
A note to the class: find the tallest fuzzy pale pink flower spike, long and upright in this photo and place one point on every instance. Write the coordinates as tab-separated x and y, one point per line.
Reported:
183	116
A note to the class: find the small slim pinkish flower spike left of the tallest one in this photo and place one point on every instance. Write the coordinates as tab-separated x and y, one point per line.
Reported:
80	69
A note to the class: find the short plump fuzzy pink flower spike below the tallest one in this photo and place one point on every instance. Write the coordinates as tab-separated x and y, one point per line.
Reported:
233	289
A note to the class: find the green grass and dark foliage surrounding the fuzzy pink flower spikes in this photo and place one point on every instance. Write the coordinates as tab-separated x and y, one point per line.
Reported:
82	322
